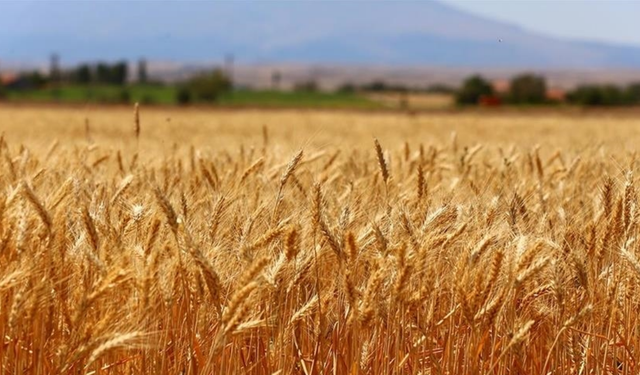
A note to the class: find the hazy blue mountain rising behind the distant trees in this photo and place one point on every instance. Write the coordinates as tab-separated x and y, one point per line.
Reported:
371	33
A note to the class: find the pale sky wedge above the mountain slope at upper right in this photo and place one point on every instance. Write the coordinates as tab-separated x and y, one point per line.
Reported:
599	20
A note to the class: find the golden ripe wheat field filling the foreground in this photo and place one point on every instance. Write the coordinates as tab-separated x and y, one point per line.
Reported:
282	242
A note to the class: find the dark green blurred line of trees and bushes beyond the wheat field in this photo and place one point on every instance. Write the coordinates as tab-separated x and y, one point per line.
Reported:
208	86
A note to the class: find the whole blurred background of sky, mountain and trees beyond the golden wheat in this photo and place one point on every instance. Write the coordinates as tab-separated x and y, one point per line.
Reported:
368	55
